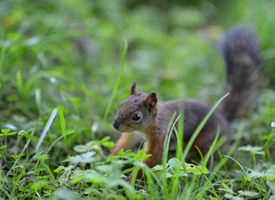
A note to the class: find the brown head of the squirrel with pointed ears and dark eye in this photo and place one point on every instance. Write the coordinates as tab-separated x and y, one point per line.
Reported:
137	112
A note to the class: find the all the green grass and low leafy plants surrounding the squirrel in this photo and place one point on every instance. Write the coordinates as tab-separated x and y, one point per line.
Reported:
65	67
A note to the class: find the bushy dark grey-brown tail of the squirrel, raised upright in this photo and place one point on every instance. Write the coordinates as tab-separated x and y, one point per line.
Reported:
240	49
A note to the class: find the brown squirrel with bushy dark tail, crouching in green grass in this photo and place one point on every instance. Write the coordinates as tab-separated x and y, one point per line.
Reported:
141	113
